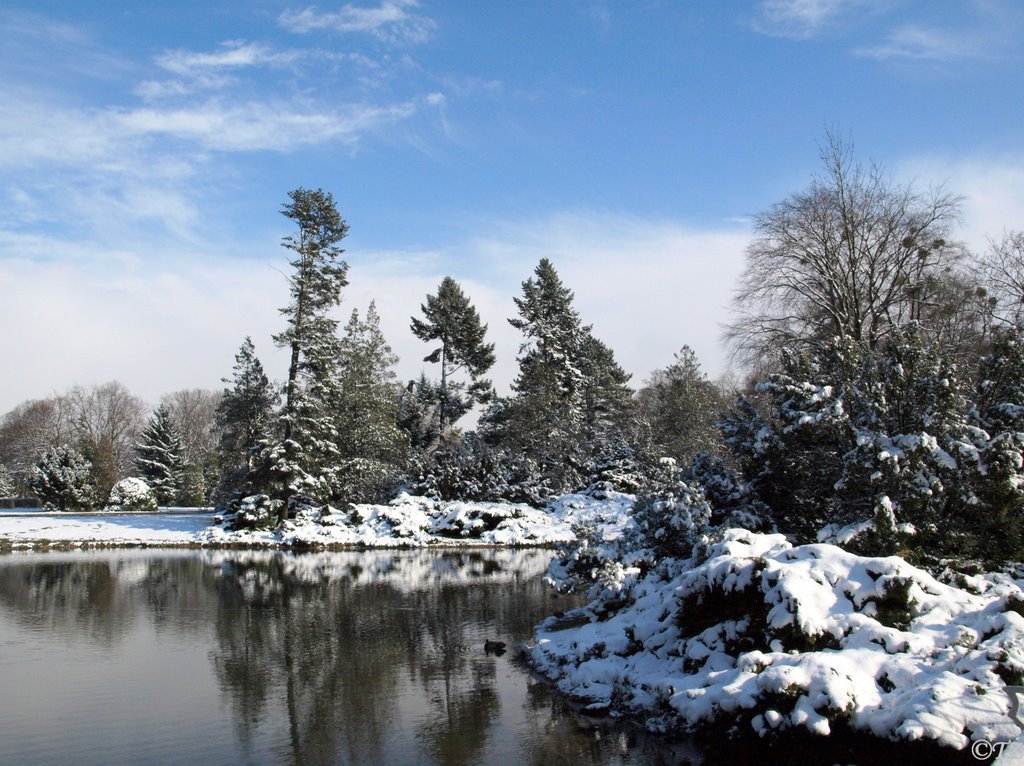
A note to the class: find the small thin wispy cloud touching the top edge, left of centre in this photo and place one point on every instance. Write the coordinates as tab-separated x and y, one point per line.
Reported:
393	21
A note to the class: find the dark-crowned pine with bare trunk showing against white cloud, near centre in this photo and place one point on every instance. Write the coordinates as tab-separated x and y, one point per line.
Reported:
452	320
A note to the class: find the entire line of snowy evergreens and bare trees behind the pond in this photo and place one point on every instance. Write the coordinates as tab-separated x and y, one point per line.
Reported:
883	406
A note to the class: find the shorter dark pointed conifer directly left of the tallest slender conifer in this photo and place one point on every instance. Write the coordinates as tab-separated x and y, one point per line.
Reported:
244	415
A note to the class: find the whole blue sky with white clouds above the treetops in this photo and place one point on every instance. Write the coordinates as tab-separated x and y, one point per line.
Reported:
147	150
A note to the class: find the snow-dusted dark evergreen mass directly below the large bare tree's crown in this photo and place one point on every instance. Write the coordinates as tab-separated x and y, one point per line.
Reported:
848	431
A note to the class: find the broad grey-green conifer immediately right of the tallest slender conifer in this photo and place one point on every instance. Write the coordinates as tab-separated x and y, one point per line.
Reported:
372	449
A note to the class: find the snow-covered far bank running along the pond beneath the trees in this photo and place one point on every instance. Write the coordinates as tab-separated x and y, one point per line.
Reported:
407	522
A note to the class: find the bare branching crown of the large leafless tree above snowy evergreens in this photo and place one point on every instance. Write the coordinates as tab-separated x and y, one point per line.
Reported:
854	256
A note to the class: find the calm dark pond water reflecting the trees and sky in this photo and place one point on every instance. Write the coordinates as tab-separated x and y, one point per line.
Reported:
266	658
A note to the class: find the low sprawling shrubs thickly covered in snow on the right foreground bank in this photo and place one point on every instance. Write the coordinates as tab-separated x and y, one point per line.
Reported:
759	636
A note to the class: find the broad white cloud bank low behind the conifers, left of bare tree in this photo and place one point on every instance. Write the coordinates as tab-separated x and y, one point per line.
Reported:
158	322
